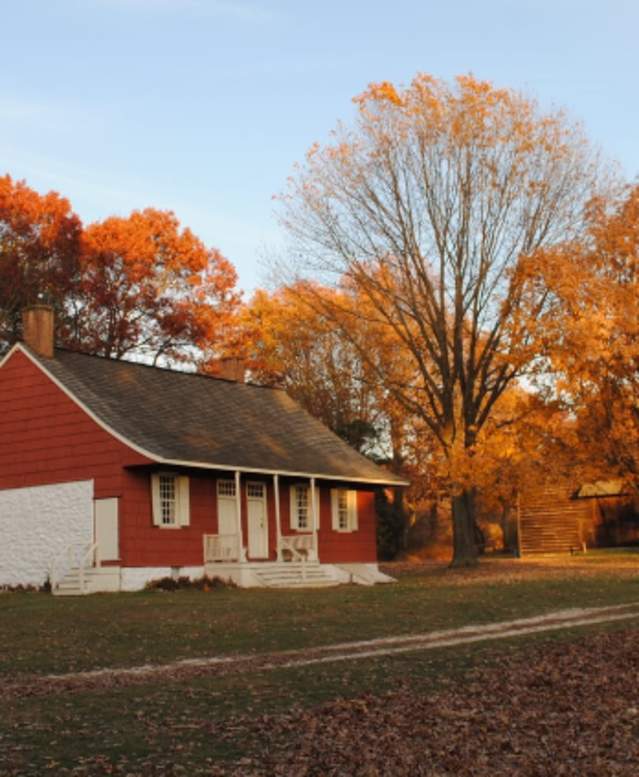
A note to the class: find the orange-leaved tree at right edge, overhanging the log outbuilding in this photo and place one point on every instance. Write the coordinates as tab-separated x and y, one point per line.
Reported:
590	332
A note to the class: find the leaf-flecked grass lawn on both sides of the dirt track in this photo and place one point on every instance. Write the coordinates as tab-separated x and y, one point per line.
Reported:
175	726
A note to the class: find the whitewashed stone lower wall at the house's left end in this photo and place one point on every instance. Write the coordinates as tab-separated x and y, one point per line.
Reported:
39	523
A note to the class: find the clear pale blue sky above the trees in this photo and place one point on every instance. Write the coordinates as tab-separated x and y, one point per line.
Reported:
203	106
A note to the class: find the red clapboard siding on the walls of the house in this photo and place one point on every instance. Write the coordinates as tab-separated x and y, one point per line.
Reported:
46	438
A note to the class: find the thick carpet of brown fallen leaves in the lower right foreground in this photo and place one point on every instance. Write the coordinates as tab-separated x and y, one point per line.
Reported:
559	709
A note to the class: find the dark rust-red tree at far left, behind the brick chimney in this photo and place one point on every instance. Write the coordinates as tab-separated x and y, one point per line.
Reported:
39	242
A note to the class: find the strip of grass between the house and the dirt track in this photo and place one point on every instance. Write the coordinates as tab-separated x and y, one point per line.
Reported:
43	634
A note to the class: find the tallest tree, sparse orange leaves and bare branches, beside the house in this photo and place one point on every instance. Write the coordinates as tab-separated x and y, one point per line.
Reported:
425	206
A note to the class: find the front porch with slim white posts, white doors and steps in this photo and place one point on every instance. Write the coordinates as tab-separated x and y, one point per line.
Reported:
288	531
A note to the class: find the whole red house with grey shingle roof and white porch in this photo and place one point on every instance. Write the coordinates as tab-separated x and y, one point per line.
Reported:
114	473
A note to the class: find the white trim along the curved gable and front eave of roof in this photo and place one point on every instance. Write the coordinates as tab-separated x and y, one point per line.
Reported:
177	462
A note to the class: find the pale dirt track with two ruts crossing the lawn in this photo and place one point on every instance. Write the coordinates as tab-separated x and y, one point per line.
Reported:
344	651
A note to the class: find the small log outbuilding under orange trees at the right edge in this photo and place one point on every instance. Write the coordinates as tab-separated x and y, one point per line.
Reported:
564	519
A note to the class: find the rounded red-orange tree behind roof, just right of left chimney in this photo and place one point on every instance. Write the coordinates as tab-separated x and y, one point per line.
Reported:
148	287
